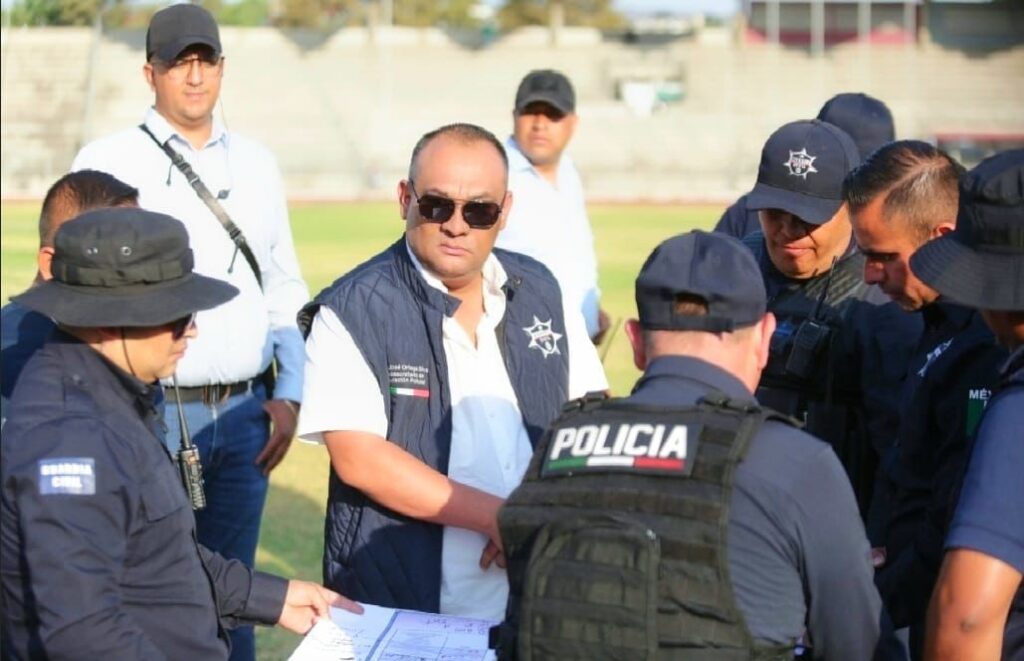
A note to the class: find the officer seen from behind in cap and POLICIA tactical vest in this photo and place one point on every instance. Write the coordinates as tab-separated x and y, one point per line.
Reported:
686	521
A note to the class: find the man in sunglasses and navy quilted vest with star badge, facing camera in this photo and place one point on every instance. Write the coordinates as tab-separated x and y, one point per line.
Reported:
433	371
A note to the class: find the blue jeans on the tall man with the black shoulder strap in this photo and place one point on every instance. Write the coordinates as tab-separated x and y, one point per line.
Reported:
229	436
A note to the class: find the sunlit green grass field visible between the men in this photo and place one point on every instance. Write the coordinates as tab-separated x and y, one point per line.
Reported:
330	240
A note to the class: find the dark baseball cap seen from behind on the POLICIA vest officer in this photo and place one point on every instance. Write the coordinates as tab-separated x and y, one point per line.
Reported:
713	267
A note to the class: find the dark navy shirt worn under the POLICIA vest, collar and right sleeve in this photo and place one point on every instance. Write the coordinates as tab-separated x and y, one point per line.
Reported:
798	555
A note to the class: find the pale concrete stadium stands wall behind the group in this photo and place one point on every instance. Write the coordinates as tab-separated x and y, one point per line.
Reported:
343	114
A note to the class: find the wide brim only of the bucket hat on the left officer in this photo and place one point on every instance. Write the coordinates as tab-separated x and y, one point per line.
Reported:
140	306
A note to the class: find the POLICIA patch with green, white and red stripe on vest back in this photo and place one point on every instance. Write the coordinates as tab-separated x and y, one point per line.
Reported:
634	448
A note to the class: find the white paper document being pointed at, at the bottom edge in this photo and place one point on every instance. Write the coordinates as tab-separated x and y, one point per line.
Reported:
390	635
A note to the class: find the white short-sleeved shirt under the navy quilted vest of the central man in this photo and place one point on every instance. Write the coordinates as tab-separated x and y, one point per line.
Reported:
490	448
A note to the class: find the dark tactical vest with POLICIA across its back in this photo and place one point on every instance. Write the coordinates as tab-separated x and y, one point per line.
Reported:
616	541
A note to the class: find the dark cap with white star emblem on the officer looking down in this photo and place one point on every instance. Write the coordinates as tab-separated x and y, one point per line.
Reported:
802	169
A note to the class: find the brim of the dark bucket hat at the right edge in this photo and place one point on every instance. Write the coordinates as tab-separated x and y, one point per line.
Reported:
980	280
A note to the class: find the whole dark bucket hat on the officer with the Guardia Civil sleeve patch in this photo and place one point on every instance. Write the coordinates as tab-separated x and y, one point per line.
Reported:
123	268
